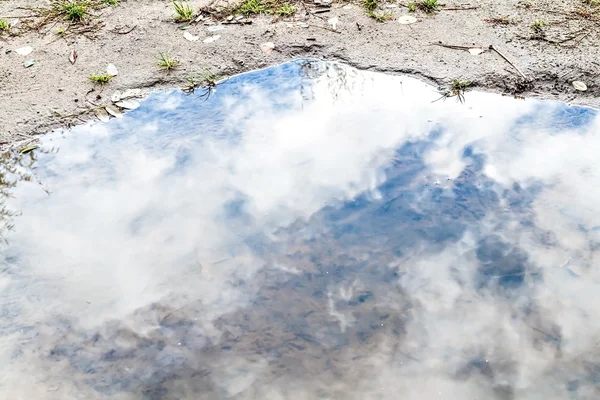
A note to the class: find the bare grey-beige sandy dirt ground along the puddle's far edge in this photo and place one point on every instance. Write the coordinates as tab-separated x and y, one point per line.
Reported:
551	43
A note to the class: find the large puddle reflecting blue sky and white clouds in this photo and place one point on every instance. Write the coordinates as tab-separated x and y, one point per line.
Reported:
309	231
